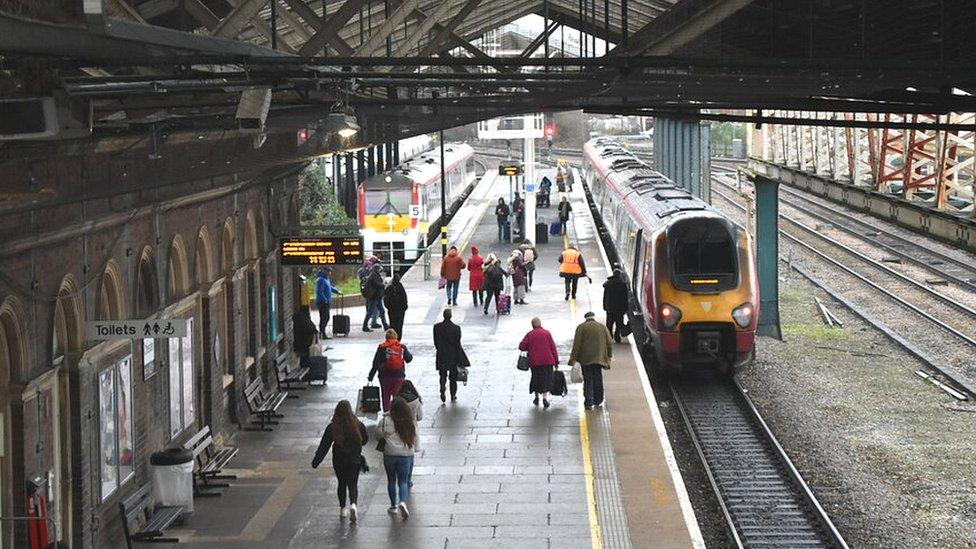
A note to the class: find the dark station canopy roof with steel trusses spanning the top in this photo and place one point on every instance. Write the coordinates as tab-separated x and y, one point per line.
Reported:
414	66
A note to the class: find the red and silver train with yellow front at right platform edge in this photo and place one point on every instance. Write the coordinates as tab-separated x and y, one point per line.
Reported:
691	269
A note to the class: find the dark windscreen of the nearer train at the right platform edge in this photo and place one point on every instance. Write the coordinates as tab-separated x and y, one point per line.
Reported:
703	255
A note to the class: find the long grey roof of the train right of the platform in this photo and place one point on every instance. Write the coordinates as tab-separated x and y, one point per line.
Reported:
652	198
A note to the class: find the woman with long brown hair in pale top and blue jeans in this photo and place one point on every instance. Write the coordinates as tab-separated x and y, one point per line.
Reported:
399	430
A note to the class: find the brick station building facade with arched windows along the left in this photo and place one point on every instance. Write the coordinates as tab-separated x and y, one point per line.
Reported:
81	418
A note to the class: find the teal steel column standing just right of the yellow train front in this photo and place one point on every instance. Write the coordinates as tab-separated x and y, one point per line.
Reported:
767	255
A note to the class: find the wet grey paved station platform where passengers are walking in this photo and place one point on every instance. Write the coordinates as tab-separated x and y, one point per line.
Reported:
495	471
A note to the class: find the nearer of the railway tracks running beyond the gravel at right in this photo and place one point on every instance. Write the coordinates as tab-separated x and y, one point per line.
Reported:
938	329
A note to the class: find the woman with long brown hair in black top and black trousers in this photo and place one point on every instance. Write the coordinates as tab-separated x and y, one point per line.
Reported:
346	436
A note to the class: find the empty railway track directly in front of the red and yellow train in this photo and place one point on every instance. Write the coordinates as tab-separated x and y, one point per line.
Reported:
764	499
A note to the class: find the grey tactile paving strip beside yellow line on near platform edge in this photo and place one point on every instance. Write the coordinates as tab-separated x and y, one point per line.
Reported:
614	531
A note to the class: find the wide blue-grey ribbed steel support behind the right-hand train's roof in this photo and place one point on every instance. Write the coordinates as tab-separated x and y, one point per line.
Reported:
682	152
